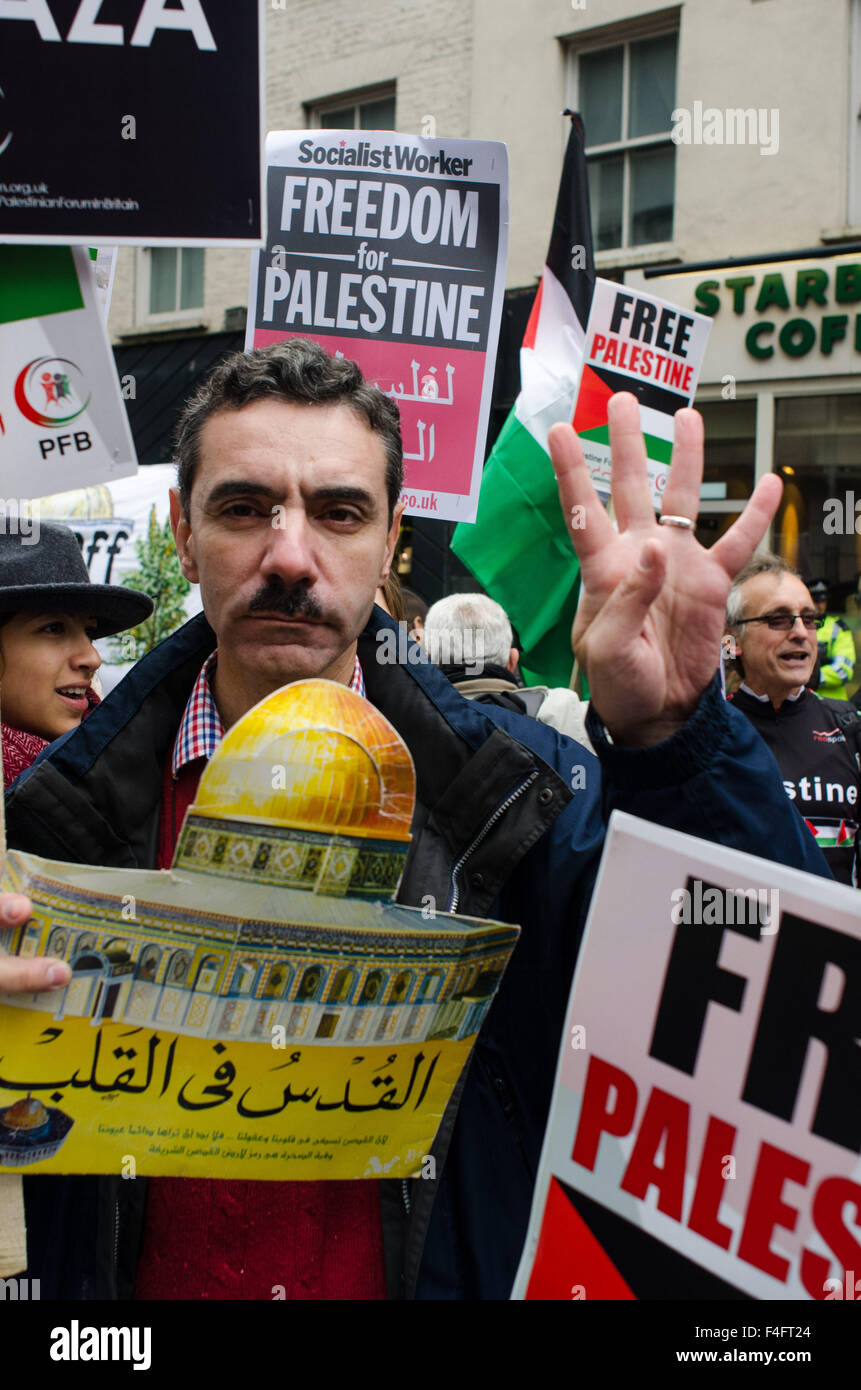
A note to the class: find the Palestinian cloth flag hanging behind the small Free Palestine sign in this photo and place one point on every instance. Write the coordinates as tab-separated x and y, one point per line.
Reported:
520	548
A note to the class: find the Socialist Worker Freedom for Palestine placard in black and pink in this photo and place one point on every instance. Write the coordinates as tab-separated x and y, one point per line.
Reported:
392	251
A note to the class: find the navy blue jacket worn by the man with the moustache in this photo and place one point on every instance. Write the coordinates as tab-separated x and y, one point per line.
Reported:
499	832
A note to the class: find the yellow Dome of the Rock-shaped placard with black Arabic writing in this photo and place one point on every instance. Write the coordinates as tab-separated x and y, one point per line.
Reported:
265	1008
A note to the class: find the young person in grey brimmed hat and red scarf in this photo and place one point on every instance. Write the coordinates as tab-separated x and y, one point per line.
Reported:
49	616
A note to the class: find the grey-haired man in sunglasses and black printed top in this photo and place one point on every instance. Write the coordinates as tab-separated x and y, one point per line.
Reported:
773	626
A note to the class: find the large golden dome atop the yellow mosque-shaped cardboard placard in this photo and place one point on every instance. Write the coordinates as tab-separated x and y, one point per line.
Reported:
314	757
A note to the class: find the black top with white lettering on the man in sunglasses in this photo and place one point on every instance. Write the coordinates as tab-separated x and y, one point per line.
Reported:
820	769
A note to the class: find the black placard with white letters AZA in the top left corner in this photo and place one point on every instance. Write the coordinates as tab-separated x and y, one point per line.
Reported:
131	122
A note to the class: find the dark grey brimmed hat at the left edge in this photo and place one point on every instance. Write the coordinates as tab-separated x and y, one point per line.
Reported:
51	578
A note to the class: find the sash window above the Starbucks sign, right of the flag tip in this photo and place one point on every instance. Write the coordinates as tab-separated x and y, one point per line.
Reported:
627	95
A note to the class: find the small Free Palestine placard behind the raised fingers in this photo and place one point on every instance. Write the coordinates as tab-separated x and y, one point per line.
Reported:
641	344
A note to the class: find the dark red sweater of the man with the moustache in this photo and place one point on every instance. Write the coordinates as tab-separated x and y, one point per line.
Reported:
236	1239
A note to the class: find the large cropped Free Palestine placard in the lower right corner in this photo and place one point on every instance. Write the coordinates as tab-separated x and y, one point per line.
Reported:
706	1128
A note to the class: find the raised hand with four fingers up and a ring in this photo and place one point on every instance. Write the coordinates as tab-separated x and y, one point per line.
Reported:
652	615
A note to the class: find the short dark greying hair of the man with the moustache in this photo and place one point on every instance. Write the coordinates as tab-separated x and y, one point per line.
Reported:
298	372
